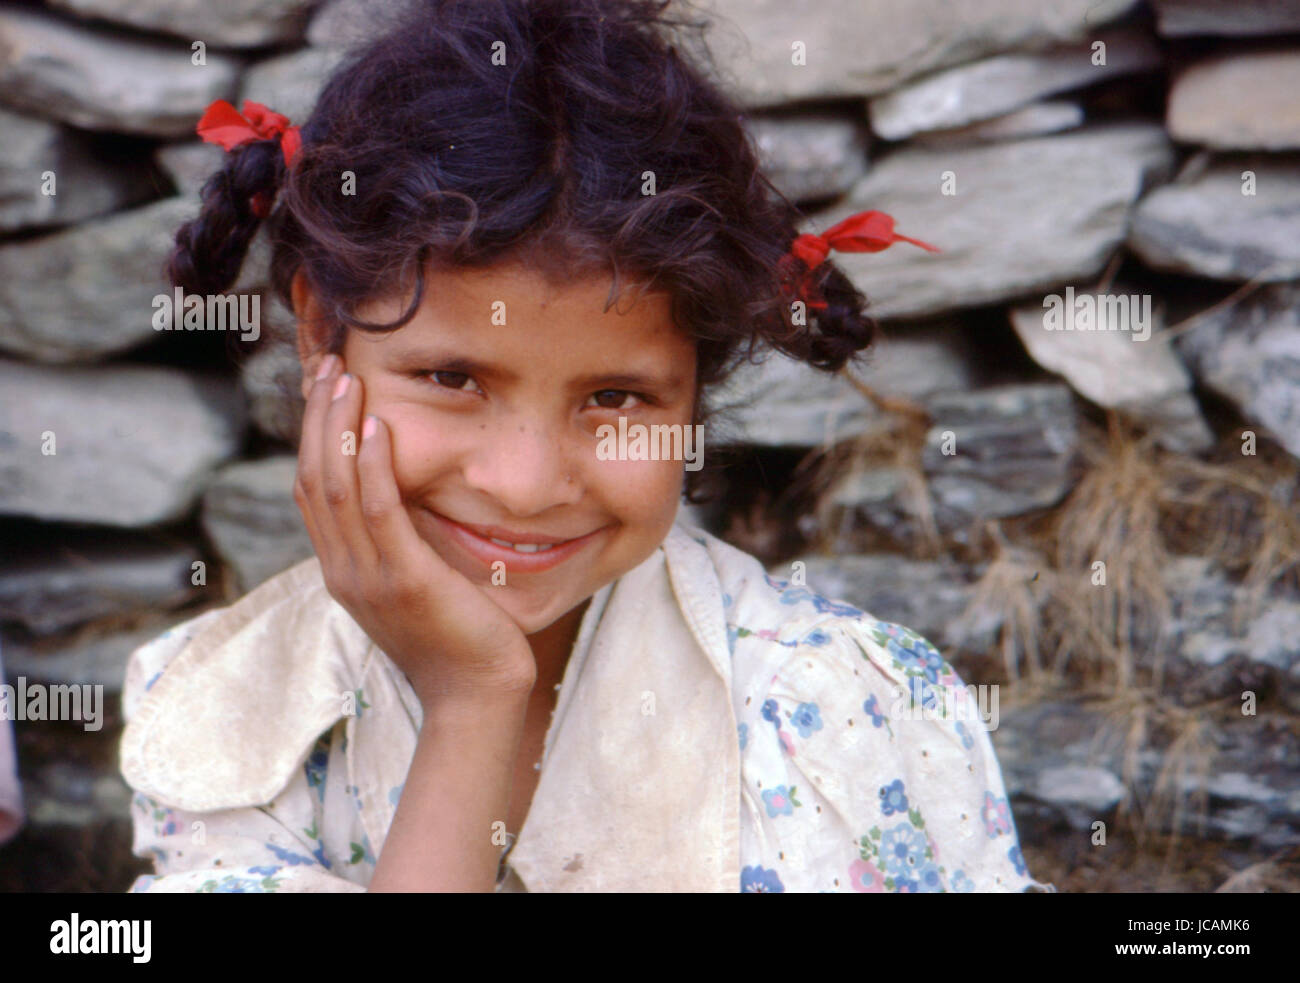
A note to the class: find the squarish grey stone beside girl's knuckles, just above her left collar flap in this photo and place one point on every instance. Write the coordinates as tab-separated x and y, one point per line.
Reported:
253	521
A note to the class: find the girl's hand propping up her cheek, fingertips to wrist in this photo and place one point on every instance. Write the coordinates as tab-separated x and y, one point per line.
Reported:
450	640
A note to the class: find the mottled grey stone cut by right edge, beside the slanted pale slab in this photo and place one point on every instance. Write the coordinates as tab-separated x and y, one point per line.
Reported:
1250	354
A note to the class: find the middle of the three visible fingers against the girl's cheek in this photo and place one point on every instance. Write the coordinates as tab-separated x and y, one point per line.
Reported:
341	491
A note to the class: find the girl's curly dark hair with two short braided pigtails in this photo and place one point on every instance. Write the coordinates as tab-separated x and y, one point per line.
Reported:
461	163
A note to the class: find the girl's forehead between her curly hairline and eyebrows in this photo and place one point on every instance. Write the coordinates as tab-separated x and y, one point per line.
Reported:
515	318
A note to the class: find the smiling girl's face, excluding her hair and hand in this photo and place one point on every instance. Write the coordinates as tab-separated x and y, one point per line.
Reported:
493	395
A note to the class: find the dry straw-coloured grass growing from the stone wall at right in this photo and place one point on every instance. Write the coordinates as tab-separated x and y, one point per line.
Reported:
1059	629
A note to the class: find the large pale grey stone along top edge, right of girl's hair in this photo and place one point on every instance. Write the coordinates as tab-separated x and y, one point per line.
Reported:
865	47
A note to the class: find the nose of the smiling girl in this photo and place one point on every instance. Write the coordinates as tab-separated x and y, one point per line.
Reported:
527	466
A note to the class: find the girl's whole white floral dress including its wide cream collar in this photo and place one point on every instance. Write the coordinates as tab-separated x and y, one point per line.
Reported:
856	760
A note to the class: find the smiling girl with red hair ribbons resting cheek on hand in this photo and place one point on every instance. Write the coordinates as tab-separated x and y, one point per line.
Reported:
508	665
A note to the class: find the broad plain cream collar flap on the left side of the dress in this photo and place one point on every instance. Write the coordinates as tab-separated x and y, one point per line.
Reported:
223	708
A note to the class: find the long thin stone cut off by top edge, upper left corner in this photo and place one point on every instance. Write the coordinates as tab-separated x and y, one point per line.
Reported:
233	24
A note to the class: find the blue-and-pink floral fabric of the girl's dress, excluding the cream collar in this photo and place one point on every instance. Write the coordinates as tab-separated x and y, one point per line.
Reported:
831	729
